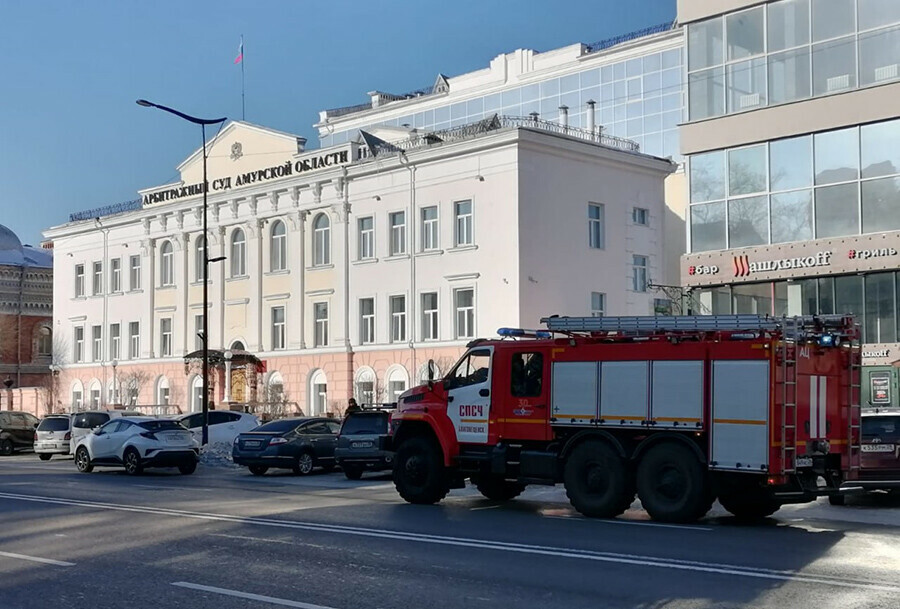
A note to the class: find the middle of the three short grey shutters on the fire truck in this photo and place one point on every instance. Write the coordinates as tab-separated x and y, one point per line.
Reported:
624	393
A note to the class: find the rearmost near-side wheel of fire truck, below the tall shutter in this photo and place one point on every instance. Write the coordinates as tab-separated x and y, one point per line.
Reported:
673	484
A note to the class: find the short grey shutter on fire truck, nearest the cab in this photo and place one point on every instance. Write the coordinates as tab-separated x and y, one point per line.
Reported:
574	393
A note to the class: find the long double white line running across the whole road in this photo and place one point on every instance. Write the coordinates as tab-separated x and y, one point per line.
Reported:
500	546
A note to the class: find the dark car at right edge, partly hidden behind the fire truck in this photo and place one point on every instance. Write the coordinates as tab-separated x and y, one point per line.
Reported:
880	459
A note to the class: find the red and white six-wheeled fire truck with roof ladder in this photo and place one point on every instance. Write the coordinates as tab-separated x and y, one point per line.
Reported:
754	411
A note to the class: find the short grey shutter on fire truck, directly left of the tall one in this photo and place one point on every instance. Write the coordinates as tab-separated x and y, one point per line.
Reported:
677	395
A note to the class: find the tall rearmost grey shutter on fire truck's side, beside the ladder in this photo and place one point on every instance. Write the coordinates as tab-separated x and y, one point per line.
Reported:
740	414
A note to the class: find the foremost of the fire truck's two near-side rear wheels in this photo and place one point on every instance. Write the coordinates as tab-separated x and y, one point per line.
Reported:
596	480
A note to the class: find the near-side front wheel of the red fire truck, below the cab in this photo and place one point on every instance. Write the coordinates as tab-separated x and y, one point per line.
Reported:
419	473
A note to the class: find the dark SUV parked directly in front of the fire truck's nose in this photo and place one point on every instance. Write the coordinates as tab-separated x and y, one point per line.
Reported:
364	443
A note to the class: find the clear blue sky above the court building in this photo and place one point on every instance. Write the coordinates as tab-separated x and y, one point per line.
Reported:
72	138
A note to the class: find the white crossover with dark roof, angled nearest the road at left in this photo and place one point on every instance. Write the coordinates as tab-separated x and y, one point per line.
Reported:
136	443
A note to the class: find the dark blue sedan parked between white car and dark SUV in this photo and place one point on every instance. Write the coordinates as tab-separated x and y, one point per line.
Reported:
299	444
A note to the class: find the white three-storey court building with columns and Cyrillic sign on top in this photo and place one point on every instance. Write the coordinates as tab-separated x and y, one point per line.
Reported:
348	267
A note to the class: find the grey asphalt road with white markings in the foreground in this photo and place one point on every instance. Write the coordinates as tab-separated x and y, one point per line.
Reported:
224	539
